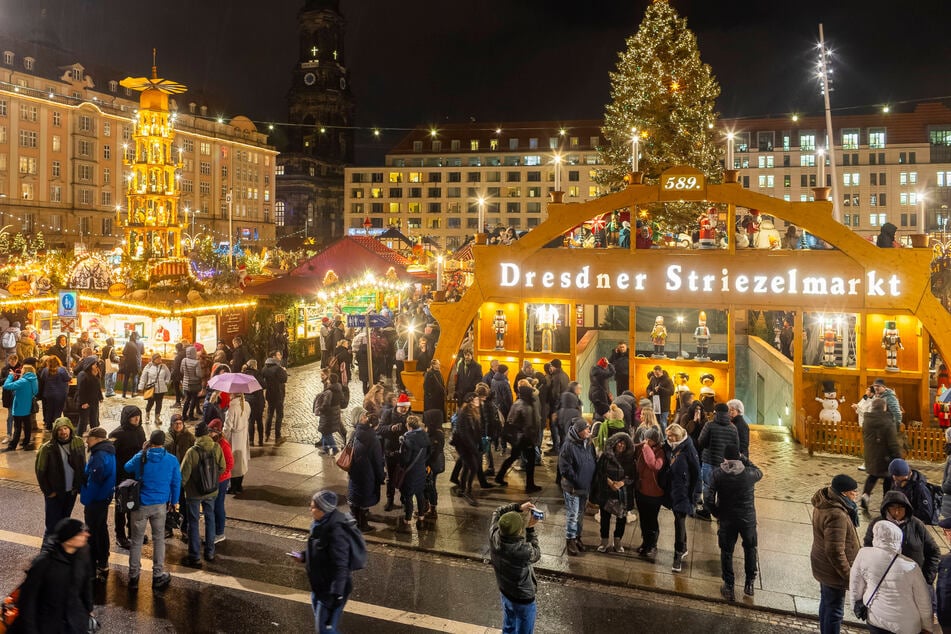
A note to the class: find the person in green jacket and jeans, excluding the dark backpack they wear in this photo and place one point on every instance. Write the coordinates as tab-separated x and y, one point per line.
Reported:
198	502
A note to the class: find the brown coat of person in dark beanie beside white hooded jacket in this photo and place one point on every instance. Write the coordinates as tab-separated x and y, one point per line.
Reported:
835	542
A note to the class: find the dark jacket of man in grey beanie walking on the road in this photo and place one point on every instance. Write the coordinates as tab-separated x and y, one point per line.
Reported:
327	557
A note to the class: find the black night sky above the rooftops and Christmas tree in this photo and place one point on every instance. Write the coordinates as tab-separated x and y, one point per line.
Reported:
425	61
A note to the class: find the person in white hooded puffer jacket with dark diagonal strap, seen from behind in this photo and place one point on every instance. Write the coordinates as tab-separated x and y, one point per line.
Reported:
902	603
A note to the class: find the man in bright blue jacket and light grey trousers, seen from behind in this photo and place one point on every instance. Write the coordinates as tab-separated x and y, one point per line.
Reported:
161	481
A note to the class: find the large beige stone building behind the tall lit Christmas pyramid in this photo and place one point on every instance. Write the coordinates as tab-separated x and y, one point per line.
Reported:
65	133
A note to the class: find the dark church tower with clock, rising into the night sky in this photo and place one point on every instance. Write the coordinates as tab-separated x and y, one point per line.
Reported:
320	134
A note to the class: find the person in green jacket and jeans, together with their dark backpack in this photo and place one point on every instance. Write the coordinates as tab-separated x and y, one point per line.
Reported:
201	470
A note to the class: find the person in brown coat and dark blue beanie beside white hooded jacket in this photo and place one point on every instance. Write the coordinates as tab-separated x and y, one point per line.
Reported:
835	544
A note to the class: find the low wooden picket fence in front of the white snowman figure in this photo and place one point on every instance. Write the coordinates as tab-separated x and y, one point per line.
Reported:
843	438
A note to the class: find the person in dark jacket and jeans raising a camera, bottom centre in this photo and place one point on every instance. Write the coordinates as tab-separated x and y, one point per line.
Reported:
513	548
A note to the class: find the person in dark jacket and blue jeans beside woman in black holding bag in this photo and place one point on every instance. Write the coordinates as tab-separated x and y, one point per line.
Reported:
576	465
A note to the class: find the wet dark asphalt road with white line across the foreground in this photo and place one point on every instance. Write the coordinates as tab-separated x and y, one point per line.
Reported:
442	587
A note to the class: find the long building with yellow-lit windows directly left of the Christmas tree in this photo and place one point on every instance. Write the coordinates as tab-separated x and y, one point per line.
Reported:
432	180
